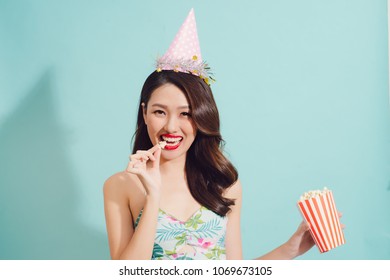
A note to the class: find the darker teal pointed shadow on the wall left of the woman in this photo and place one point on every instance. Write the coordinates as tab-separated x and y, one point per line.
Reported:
39	194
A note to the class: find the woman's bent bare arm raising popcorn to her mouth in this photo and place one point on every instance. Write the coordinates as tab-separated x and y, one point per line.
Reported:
124	241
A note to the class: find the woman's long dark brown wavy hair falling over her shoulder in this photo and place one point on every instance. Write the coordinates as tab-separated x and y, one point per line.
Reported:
208	172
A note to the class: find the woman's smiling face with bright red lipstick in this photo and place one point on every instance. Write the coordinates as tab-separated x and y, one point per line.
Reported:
168	118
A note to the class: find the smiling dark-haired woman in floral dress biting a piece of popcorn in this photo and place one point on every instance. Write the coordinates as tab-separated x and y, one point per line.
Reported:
182	201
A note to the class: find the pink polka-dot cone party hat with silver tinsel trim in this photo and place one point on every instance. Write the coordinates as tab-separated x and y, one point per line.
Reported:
184	55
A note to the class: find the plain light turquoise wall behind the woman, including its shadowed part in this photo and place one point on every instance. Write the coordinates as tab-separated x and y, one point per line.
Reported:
302	89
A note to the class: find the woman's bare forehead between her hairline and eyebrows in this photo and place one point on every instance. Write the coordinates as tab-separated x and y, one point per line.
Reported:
168	94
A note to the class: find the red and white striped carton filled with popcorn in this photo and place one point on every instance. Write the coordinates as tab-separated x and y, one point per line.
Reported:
320	213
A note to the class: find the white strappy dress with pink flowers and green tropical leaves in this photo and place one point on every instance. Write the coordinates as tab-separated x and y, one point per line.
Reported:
201	237
